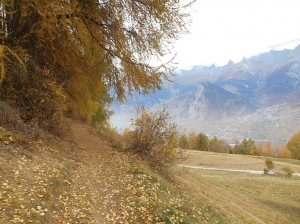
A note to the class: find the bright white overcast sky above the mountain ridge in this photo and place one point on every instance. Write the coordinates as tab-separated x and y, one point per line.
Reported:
224	30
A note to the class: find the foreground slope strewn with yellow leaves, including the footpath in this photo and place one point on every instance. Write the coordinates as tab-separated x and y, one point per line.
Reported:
85	180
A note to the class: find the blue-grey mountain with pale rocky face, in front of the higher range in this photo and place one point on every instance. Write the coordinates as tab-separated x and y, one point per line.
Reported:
207	101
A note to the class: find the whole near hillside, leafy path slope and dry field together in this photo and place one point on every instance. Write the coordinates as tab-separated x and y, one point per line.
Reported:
86	178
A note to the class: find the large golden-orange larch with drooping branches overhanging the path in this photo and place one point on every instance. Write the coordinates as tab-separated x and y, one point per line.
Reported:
86	48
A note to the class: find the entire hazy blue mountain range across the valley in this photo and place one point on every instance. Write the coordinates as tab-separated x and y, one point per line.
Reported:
216	94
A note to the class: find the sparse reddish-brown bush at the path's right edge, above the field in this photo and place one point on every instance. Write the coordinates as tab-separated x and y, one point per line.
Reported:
155	138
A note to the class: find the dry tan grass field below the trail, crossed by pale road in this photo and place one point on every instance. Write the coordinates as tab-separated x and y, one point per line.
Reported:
261	198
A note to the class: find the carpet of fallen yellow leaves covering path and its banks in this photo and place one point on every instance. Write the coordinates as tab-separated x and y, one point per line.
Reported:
102	185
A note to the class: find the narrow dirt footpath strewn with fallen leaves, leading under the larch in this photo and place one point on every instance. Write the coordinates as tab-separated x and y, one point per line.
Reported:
101	176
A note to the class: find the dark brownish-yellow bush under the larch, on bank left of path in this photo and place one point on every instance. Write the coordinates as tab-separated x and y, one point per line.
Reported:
38	98
